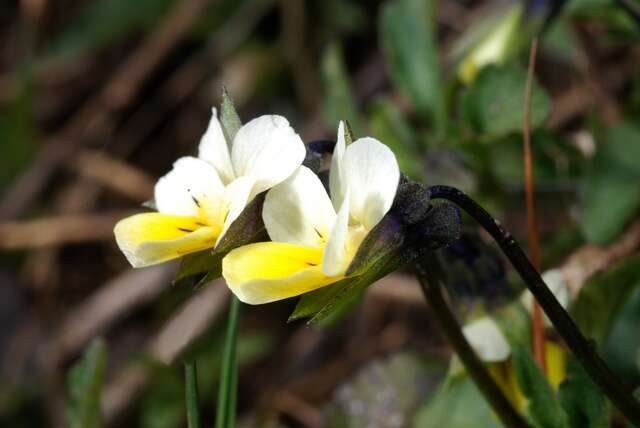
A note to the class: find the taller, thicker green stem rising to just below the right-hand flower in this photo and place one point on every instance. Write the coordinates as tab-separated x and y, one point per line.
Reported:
227	391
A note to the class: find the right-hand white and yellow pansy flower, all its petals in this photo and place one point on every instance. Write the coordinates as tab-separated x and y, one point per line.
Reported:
315	237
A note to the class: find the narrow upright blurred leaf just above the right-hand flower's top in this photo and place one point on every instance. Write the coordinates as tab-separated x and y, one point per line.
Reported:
339	102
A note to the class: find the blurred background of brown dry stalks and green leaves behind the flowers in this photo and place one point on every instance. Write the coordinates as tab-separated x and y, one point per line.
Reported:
97	98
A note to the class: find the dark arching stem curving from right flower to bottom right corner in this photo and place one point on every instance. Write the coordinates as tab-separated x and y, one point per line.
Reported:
583	349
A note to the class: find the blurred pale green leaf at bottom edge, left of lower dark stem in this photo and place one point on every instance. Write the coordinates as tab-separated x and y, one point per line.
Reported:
457	404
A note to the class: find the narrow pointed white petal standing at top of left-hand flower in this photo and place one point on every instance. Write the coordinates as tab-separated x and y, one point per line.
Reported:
215	150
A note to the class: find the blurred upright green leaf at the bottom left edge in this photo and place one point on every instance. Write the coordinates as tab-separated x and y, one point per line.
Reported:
85	385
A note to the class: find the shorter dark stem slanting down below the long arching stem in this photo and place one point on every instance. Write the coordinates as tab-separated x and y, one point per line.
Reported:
427	275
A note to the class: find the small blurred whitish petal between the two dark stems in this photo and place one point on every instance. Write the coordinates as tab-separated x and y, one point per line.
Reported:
487	340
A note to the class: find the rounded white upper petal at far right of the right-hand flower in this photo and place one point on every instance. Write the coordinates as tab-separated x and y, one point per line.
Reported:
371	175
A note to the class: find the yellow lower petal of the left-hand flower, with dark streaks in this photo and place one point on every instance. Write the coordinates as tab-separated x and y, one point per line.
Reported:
151	238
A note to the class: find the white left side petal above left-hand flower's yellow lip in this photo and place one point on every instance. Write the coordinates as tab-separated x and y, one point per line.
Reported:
191	188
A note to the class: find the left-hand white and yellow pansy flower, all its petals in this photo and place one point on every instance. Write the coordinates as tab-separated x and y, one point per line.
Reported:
200	197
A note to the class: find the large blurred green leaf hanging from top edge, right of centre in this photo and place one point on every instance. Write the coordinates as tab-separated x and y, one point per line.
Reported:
407	29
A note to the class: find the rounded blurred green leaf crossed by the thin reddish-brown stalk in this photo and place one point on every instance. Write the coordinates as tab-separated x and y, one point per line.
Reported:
494	103
